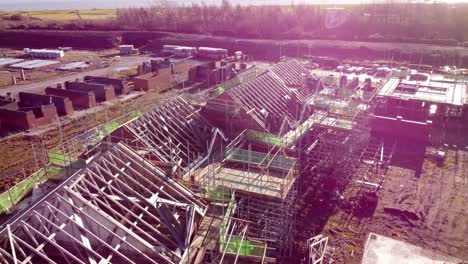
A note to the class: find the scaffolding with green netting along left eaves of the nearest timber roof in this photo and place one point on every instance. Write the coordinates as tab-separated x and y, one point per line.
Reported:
54	161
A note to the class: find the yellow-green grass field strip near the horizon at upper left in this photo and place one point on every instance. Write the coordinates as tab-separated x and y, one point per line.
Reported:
93	14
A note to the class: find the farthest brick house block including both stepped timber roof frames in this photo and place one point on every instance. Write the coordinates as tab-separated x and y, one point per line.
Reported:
266	103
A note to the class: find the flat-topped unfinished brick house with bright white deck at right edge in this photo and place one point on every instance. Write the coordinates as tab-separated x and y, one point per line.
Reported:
418	107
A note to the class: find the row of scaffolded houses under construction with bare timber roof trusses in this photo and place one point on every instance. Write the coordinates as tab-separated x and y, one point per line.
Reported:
209	178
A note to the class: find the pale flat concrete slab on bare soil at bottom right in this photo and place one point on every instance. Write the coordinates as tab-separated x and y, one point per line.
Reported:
384	250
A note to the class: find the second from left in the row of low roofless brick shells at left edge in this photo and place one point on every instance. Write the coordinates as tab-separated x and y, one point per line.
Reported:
64	105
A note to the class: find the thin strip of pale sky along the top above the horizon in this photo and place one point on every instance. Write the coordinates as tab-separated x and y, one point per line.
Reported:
90	4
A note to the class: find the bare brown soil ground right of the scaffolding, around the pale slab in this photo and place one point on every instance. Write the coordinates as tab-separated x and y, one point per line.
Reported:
420	202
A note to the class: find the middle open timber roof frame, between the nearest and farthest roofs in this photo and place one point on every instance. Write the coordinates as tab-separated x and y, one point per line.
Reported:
173	133
